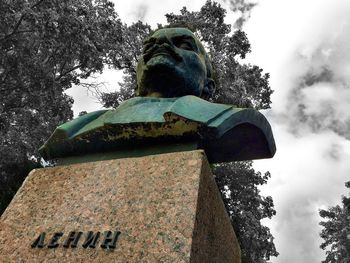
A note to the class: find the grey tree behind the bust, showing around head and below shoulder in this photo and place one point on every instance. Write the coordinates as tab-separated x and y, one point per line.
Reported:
239	84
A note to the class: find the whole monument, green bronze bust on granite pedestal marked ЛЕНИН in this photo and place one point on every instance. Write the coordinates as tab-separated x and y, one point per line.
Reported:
134	184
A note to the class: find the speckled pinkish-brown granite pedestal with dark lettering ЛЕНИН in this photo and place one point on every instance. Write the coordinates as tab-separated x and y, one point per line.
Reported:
167	208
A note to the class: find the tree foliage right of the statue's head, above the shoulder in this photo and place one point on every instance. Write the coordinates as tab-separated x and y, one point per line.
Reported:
243	85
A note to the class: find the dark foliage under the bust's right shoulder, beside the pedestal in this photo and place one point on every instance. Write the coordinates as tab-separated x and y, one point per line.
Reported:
239	185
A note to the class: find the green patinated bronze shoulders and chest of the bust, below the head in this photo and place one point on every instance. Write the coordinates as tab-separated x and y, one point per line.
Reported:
225	132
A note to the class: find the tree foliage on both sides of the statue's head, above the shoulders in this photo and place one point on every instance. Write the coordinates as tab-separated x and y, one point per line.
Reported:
243	85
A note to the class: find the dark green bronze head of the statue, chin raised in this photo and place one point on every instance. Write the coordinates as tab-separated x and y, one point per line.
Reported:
173	64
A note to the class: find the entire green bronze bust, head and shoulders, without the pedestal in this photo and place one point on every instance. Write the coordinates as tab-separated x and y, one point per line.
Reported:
173	73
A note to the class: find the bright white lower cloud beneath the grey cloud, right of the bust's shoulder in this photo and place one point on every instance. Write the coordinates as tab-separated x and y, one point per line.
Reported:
308	173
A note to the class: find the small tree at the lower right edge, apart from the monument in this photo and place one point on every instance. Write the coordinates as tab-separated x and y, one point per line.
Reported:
336	231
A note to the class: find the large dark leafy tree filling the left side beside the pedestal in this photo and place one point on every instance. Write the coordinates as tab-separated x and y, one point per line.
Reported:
45	48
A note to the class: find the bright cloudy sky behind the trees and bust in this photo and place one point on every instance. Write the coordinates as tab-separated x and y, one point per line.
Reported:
304	45
